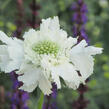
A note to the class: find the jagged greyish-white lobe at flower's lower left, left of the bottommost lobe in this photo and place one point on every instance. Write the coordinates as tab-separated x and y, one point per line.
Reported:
30	76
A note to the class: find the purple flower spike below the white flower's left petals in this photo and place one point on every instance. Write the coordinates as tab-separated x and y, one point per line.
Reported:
19	97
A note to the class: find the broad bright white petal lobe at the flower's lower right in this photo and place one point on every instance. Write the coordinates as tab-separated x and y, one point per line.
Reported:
68	73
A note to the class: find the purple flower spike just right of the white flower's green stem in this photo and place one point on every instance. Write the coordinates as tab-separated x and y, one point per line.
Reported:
50	101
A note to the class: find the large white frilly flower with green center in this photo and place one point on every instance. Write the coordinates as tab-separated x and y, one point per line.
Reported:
46	55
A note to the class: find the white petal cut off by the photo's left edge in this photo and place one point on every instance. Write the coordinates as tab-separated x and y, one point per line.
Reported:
11	53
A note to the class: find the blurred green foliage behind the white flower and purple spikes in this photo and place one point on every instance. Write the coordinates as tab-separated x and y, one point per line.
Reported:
97	28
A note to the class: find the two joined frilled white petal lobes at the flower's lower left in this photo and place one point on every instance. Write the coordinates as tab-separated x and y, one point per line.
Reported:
32	76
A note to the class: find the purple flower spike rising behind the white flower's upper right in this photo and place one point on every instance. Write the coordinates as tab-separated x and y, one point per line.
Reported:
79	19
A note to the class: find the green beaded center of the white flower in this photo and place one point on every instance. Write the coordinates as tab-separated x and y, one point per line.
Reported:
46	47
